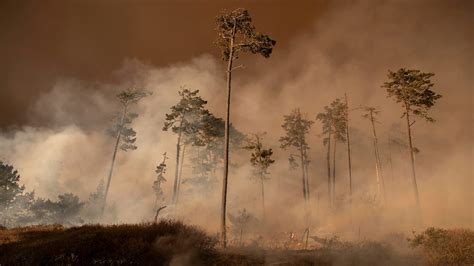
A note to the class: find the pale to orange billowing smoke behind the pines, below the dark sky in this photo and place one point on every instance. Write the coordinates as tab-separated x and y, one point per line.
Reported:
349	51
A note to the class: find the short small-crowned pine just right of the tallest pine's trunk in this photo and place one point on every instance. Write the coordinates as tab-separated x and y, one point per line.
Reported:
261	159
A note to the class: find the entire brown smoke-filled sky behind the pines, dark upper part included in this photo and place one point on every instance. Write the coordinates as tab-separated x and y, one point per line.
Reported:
64	60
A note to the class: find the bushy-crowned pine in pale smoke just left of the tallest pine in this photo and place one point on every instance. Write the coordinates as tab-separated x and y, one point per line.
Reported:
184	120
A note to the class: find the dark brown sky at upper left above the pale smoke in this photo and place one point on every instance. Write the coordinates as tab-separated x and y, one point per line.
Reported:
43	41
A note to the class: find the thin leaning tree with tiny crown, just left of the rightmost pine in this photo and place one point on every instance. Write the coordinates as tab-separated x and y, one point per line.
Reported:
370	113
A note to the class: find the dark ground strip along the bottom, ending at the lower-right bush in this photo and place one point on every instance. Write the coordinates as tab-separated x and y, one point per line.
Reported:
173	243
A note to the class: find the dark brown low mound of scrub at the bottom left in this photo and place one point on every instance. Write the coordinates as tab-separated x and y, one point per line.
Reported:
143	244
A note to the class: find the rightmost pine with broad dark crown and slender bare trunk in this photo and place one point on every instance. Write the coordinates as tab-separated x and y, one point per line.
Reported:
412	88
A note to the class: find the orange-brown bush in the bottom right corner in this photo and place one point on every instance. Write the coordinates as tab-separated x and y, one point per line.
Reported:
445	247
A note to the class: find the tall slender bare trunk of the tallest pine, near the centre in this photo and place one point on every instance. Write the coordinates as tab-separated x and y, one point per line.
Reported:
226	141
